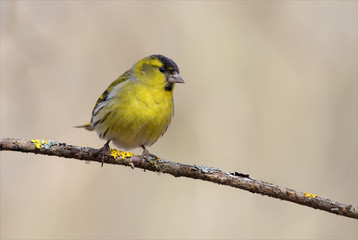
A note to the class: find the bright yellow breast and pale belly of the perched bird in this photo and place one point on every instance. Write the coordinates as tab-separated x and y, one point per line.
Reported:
137	115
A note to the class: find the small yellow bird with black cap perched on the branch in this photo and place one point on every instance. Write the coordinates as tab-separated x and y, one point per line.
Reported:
136	108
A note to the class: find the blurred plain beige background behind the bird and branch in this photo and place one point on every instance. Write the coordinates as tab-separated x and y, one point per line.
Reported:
270	90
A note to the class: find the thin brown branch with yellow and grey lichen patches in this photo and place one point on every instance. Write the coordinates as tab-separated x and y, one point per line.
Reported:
215	175
